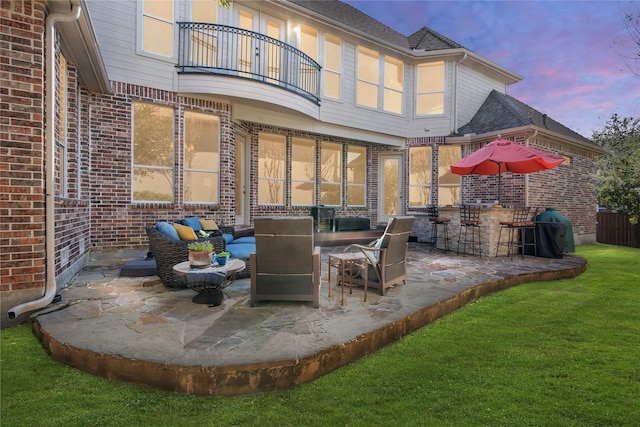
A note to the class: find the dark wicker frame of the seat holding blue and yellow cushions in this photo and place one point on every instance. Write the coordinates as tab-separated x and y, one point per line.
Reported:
169	252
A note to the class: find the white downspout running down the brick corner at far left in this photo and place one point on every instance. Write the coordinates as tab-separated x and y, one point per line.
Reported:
50	135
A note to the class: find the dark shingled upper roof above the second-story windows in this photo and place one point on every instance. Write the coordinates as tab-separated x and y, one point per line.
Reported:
423	39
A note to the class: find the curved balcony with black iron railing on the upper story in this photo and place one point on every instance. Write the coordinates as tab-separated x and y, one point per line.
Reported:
229	51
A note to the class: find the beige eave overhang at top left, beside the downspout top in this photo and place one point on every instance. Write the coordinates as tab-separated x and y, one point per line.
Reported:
81	46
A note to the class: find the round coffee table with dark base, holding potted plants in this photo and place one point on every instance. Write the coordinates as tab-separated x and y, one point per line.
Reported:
209	281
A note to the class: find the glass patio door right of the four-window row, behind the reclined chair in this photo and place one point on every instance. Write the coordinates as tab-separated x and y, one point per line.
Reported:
390	186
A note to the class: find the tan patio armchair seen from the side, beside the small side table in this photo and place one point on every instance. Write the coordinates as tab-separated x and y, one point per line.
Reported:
386	256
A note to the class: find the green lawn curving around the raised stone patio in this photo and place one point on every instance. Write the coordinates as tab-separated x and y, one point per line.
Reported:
560	353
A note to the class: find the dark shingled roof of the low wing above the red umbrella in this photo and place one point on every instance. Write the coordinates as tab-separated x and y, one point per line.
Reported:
501	111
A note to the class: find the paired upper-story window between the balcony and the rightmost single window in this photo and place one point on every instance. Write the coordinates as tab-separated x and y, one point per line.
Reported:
371	67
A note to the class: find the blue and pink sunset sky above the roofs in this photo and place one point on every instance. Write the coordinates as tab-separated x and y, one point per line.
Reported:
570	53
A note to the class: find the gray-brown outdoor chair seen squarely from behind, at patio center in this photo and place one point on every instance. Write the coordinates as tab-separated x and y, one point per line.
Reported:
286	264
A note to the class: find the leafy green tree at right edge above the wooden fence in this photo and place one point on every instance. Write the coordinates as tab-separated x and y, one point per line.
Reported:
618	177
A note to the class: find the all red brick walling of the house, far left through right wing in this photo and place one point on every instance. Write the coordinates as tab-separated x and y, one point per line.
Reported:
95	210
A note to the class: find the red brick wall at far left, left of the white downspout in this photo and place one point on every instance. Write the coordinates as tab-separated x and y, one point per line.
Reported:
22	198
